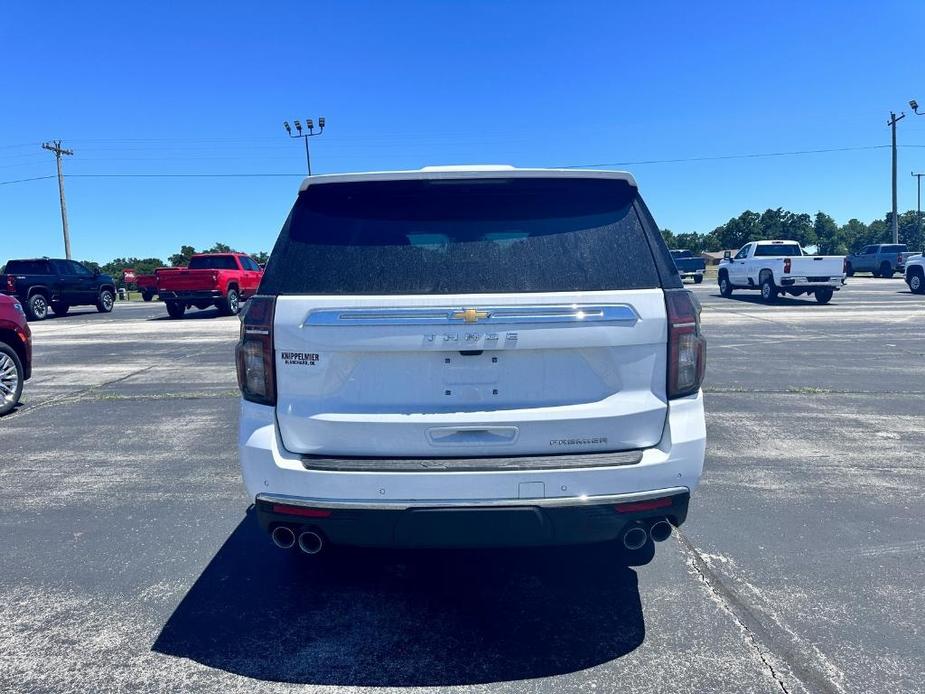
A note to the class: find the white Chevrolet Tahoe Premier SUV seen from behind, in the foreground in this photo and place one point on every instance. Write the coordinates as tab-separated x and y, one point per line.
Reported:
471	356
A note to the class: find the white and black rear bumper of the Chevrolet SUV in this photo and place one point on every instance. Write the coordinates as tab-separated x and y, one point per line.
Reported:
525	507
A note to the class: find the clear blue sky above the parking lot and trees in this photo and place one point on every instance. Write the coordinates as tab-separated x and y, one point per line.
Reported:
151	89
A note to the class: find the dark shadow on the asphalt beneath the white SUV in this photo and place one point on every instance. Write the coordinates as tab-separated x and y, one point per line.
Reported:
404	618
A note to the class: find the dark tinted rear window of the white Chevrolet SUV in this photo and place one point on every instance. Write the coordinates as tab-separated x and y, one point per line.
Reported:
462	236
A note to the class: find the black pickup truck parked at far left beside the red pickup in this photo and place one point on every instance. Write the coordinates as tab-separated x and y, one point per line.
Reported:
42	282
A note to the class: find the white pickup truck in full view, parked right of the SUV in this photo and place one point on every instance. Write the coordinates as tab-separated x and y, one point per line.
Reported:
781	267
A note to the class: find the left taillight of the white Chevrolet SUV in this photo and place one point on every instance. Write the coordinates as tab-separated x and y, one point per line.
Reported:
254	352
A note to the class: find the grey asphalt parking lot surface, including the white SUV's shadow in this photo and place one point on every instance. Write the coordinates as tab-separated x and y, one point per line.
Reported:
128	560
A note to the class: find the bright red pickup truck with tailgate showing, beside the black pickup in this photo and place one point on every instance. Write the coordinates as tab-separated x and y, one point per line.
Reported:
211	279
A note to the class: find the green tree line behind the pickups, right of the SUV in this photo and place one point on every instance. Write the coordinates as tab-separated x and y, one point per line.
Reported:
819	230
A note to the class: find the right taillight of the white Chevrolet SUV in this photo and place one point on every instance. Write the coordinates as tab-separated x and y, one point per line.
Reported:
687	348
